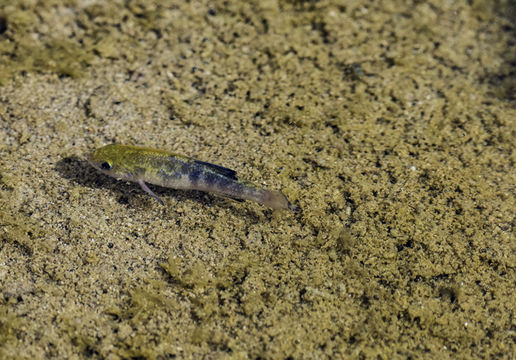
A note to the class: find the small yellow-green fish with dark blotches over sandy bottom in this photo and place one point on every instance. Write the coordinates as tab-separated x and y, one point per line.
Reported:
158	167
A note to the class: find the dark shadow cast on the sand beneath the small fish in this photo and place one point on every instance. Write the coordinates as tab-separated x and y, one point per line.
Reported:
80	172
